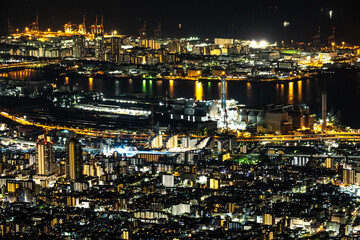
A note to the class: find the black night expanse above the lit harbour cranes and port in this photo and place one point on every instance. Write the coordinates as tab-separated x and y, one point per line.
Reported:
253	19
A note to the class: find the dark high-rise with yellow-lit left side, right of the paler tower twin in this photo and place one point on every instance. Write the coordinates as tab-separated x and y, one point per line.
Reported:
73	159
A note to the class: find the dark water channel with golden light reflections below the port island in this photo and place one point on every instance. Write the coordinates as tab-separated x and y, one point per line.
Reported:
343	90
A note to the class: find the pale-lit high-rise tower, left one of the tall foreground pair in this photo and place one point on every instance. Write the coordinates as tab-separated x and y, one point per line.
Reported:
44	155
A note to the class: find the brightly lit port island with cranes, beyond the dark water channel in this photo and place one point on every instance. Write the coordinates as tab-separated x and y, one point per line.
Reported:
263	60
